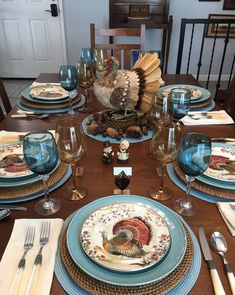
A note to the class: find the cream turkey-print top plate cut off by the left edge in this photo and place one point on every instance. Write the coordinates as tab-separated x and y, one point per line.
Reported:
12	162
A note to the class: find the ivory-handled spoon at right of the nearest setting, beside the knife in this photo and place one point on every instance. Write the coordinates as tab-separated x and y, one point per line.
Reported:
219	245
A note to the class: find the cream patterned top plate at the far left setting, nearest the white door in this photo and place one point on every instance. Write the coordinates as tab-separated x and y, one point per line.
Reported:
51	92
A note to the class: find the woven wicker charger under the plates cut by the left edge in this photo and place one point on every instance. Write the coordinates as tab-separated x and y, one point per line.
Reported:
29	189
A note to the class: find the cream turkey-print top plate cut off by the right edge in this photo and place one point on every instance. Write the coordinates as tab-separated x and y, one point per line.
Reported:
222	165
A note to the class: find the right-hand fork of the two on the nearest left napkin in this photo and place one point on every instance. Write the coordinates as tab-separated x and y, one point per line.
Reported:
44	239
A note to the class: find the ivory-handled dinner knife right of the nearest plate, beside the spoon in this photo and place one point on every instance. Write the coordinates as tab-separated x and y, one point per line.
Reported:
218	287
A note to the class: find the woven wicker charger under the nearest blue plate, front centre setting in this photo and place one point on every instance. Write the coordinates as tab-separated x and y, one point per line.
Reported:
94	286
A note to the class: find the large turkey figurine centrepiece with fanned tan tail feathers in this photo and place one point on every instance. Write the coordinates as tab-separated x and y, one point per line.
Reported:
130	90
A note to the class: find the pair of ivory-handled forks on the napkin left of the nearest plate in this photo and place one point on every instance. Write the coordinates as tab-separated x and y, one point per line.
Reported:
28	245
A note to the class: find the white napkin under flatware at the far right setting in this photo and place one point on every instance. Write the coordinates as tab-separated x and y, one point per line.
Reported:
207	118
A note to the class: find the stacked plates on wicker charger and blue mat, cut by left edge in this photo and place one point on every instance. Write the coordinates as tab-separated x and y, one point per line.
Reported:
17	182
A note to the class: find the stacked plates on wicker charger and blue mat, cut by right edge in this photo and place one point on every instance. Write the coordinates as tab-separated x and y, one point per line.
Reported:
217	183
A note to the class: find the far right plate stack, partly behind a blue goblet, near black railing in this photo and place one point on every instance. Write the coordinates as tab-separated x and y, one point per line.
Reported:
200	99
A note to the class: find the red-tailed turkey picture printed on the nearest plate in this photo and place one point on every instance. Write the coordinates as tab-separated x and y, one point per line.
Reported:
129	237
